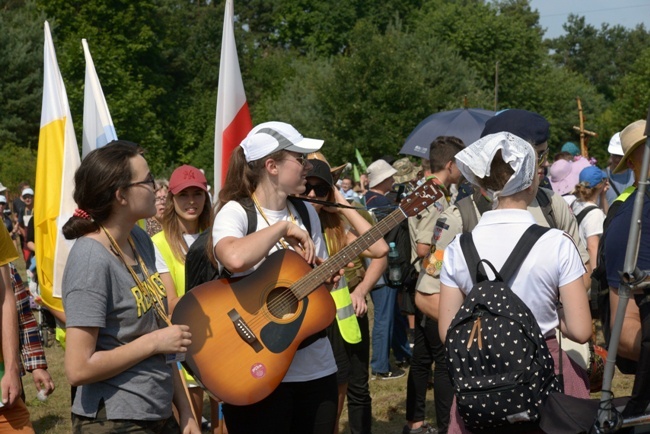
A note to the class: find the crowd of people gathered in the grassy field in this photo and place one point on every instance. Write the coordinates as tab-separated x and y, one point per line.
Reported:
128	270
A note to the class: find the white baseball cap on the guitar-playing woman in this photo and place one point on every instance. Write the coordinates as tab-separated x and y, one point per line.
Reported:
270	137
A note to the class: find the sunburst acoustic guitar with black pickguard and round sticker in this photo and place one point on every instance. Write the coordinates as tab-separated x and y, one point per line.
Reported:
245	332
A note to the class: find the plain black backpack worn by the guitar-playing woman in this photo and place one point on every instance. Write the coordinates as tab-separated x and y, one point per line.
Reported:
198	267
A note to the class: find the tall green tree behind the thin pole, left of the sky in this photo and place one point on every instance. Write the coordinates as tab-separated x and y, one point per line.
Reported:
483	34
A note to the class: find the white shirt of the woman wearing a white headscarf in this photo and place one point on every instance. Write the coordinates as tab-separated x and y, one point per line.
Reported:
553	261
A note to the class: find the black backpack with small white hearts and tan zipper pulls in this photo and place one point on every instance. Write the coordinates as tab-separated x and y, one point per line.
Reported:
501	368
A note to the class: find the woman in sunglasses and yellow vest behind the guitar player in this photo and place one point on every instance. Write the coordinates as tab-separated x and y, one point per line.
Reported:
342	226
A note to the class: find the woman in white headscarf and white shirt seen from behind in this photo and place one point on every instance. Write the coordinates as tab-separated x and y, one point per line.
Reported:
553	268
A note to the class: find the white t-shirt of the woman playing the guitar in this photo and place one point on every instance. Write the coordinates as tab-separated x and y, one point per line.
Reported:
316	360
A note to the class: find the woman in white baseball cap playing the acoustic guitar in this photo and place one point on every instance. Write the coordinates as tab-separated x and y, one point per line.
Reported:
268	167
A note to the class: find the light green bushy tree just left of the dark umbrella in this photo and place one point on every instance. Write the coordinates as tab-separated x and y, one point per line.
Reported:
372	97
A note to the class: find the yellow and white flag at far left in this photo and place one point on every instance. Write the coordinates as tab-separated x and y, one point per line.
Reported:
57	161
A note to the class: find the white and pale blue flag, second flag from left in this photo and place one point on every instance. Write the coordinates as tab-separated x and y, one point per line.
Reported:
98	125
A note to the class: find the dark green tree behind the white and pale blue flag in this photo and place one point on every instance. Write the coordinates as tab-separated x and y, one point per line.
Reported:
125	40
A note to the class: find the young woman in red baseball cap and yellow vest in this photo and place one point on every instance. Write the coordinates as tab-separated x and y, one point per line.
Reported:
187	213
